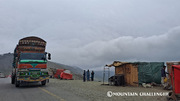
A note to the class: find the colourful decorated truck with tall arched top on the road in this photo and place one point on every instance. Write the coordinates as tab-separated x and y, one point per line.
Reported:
30	61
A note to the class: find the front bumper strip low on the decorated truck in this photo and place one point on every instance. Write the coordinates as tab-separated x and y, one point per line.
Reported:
33	79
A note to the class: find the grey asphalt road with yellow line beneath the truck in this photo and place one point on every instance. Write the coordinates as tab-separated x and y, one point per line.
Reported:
33	92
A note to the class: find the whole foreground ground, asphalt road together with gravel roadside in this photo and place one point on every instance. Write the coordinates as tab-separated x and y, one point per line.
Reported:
73	90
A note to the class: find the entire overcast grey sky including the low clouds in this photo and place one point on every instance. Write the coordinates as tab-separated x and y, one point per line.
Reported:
92	33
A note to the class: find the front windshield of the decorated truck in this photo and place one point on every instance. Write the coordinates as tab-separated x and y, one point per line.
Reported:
32	56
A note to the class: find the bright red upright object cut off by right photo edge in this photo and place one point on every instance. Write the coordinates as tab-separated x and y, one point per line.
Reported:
175	78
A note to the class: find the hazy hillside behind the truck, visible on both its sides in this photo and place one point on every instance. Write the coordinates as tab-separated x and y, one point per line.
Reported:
7	59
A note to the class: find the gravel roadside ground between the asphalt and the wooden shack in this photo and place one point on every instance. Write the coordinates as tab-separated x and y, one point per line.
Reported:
94	91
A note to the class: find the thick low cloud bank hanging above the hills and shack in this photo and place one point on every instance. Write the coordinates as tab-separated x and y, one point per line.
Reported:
163	47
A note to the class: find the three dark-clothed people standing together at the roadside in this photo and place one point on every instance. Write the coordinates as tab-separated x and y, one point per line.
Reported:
86	75
